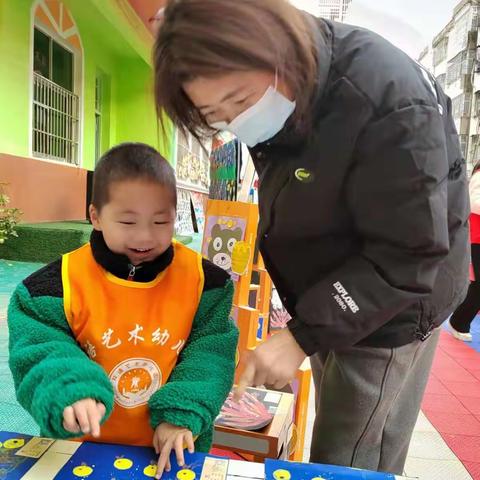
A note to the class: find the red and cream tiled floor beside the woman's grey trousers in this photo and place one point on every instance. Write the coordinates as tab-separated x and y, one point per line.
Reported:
446	441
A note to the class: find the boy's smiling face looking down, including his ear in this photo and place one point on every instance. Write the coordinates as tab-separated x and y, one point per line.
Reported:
138	220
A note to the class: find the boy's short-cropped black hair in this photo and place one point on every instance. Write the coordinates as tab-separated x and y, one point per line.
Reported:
131	161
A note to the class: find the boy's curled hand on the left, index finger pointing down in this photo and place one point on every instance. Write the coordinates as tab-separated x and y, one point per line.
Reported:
84	417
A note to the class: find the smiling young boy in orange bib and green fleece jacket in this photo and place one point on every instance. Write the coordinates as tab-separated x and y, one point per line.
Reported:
132	330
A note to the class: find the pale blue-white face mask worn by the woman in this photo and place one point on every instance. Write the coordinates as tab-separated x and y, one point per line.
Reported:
261	121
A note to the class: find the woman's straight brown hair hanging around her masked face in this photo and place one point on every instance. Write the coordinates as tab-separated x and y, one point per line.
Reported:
214	37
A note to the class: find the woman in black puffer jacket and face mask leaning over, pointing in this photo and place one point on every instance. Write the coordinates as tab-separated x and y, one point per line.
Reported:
362	200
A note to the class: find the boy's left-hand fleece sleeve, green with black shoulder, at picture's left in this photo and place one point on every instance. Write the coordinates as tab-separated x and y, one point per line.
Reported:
49	368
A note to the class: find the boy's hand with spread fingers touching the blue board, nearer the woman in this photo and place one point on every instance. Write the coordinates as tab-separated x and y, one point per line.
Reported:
169	437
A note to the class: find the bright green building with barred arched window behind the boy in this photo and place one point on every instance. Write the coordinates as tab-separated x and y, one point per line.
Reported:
77	79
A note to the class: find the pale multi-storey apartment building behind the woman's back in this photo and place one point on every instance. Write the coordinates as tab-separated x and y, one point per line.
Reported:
453	59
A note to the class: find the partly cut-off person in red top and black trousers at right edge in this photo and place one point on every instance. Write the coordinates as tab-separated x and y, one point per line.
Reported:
462	318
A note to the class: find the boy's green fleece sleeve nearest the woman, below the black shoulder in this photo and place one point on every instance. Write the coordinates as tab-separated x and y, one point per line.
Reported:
201	381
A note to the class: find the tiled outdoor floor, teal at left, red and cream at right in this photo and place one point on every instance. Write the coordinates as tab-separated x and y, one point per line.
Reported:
446	440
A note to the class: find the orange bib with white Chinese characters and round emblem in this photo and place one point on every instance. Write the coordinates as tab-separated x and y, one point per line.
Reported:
134	330
